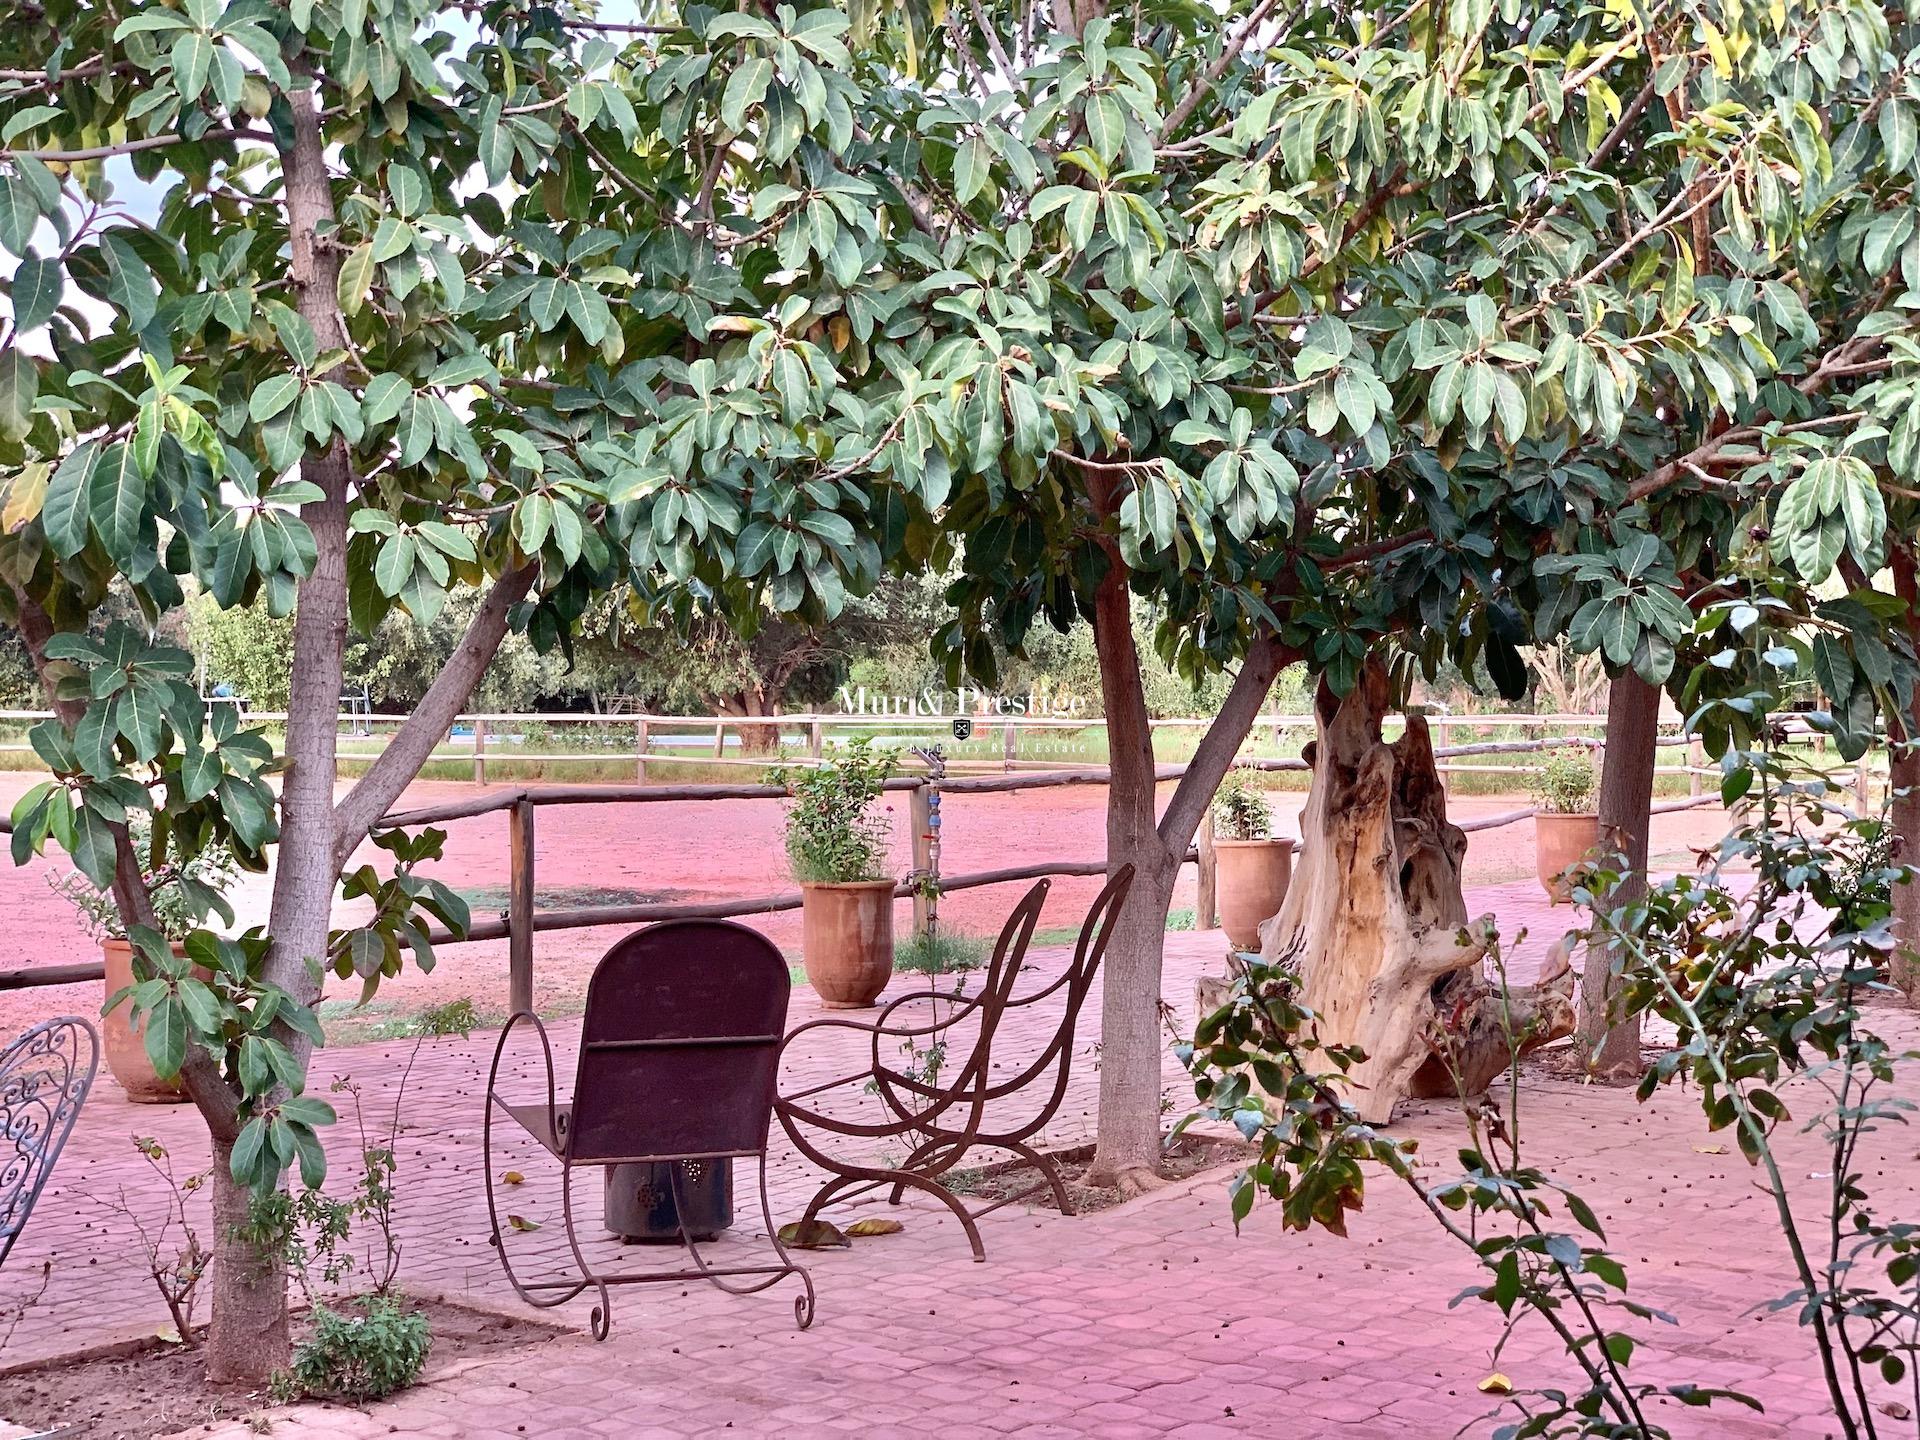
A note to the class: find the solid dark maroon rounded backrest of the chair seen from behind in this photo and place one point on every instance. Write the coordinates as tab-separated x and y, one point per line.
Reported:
679	1045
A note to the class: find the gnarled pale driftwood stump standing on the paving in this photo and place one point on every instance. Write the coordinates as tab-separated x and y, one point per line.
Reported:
1376	923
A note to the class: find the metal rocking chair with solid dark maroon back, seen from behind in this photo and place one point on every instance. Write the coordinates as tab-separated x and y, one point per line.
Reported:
679	1053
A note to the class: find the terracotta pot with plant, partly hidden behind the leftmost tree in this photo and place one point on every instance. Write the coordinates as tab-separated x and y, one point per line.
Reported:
181	894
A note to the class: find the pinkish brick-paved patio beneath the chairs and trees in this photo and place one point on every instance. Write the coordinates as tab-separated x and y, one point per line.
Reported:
1143	1320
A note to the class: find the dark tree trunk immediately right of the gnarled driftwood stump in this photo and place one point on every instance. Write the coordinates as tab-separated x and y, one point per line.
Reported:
1612	1042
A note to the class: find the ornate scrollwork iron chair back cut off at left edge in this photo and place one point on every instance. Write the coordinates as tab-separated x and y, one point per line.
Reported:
45	1078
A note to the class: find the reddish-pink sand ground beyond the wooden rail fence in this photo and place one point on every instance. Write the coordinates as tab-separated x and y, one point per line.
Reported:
698	852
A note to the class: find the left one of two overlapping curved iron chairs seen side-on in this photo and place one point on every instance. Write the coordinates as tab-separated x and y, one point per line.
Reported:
921	1105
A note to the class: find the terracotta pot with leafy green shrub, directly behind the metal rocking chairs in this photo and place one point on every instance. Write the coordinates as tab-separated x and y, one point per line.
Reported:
838	850
